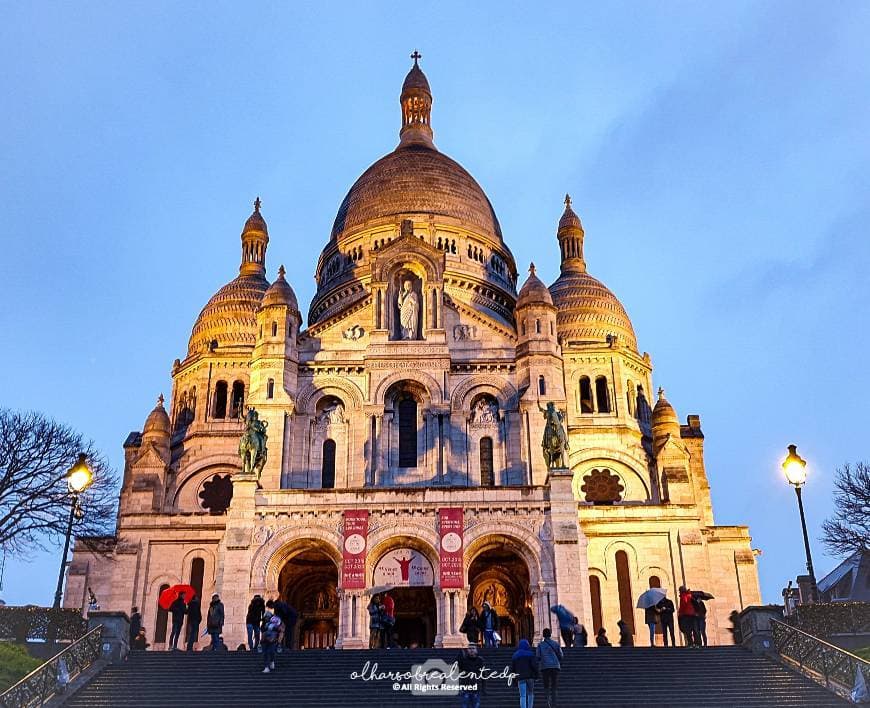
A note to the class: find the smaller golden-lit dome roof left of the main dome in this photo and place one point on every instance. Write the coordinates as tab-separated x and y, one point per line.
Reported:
230	317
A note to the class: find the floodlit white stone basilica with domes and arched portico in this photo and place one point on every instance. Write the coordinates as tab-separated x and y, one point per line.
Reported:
403	427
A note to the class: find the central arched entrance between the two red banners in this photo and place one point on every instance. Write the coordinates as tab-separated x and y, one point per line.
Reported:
409	578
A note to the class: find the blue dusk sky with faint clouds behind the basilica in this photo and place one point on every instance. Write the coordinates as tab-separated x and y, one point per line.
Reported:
717	153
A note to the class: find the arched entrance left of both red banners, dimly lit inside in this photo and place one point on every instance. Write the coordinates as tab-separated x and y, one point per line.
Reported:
308	582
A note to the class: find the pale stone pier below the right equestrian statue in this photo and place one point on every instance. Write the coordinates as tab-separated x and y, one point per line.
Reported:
569	548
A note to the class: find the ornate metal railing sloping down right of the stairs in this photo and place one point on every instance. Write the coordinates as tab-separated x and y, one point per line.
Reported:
833	667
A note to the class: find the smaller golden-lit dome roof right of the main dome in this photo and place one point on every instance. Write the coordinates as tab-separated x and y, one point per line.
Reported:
588	311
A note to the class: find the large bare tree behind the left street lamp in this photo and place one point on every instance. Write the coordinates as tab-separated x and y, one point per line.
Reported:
35	454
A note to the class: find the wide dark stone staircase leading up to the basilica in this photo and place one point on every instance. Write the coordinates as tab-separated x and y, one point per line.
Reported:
716	676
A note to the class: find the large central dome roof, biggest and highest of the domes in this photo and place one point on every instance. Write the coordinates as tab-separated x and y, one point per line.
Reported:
416	179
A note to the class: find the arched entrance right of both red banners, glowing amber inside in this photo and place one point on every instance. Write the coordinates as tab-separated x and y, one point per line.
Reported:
500	576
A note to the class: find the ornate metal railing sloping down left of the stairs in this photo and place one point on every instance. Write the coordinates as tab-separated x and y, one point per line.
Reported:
52	678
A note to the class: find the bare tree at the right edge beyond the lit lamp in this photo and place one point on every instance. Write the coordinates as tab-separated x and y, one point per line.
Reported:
848	530
